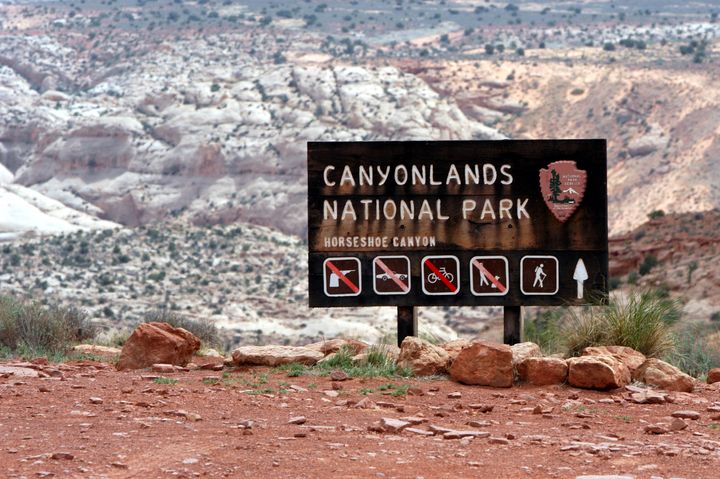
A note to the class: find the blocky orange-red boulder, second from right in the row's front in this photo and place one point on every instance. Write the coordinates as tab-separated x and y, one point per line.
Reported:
597	372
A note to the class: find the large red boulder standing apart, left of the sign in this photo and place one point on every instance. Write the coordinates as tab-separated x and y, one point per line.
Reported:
153	343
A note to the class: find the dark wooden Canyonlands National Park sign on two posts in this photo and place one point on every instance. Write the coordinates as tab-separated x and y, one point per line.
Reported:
466	223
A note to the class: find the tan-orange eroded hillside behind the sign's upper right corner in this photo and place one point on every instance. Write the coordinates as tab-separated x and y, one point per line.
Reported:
657	109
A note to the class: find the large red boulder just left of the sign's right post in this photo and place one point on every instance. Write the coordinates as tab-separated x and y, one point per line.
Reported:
484	364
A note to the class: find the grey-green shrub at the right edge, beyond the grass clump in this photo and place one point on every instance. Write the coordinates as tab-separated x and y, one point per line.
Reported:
693	354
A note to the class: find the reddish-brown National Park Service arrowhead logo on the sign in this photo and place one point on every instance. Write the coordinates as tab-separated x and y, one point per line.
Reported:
562	186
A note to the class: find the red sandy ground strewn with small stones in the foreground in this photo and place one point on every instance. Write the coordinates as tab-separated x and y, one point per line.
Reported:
94	422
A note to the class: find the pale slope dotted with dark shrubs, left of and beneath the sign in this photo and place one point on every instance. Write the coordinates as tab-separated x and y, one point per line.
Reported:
249	280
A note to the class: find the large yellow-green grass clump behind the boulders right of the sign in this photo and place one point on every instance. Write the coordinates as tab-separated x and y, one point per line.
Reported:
641	321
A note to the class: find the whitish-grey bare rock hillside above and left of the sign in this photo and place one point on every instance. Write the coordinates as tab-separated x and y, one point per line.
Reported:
197	127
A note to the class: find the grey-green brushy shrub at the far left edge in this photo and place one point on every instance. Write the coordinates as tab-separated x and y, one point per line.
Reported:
28	328
